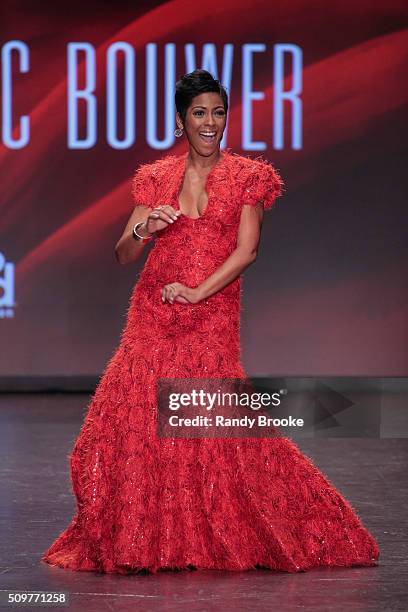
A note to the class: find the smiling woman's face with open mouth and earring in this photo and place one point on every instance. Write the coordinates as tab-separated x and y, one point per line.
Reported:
205	123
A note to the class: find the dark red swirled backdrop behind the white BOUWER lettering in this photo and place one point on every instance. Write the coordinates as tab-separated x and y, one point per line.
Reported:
327	294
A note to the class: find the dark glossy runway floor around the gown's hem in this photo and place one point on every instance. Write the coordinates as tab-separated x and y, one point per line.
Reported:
37	433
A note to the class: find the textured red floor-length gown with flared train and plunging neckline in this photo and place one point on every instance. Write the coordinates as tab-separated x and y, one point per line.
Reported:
146	503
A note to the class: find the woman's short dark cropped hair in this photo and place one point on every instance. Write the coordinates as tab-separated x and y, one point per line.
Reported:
193	84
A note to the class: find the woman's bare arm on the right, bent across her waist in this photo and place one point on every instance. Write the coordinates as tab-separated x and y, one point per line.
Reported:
244	254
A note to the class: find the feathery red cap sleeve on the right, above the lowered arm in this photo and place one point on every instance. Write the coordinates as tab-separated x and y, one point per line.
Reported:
262	183
